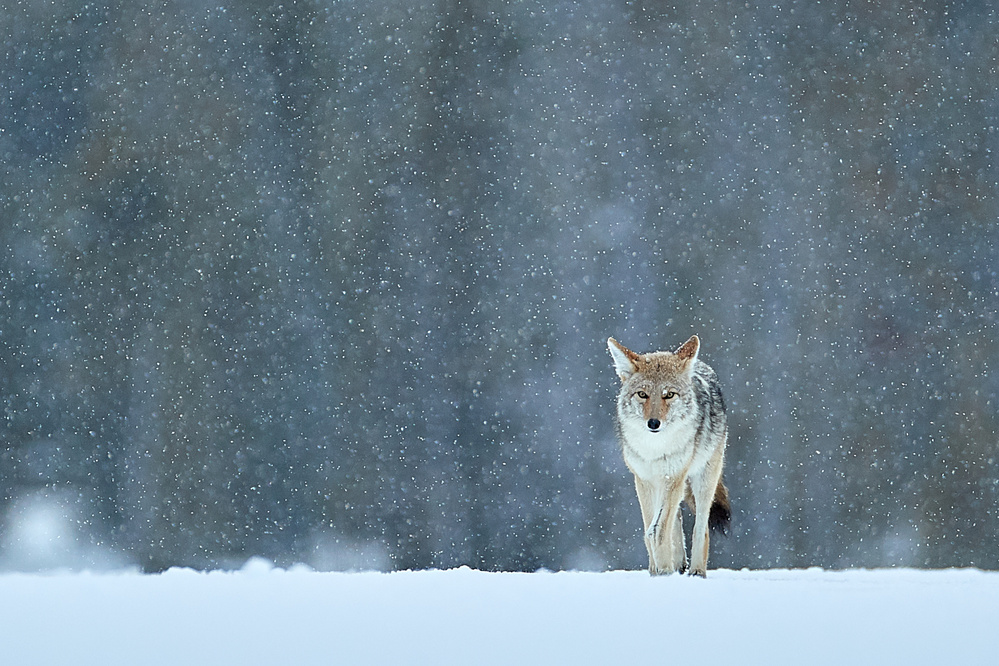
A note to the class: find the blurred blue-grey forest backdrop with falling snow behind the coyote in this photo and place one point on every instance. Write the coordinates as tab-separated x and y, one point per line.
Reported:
330	282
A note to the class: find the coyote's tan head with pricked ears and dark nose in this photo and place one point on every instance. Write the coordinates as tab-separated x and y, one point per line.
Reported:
656	388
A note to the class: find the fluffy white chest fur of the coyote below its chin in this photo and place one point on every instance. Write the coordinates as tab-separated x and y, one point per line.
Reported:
652	455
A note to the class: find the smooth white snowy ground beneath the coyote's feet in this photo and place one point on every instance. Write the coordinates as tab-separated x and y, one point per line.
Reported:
261	615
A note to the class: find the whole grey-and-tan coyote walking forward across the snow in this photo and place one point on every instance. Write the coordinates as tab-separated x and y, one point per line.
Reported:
672	427
